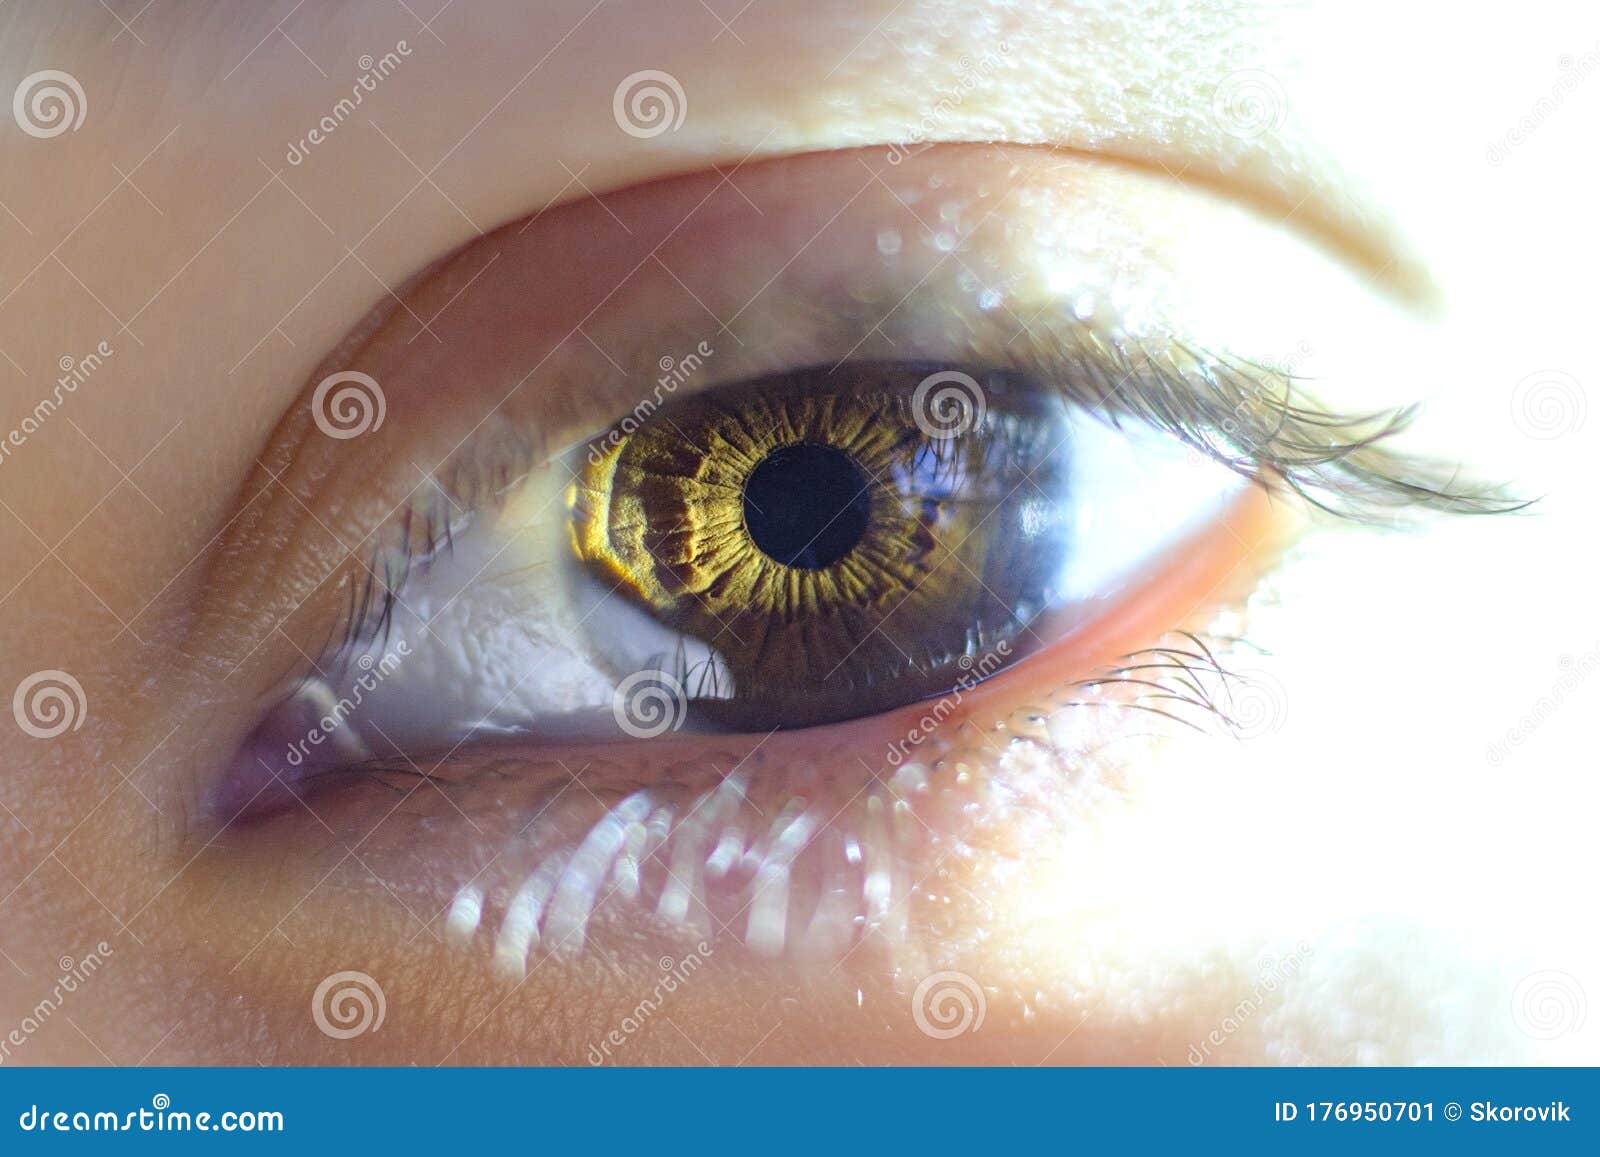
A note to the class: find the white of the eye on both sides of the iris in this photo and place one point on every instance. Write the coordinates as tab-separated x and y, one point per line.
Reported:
503	638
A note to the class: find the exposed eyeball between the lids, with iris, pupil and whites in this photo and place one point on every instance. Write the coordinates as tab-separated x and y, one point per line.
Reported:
799	550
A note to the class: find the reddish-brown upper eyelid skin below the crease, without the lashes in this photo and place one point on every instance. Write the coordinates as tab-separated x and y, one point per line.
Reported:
426	420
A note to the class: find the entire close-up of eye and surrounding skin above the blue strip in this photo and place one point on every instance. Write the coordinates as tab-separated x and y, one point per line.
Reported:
945	524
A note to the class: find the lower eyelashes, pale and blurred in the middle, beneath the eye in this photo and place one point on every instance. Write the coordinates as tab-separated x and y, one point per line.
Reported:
1182	681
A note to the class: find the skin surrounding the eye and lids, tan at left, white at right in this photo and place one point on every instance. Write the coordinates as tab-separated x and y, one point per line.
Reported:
1426	881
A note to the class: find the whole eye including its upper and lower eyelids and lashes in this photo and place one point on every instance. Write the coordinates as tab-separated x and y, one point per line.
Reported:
764	566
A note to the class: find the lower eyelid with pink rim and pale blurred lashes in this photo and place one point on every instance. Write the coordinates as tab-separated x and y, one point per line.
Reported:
522	852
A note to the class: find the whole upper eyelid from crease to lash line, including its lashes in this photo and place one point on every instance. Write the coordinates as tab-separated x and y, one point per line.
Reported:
1126	354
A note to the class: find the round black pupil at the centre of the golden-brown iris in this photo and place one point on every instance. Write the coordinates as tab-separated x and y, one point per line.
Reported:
807	506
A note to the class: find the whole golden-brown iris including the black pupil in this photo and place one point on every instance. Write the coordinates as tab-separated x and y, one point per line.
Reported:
828	538
